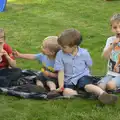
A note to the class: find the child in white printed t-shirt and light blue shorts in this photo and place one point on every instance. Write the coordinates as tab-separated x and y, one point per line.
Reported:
111	52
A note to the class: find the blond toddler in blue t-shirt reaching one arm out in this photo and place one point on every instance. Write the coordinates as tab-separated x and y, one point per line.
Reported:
49	49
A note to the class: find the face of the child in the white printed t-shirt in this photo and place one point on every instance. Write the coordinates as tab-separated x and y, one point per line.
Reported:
116	28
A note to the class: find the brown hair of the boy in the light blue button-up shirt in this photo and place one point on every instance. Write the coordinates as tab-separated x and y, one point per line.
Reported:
70	37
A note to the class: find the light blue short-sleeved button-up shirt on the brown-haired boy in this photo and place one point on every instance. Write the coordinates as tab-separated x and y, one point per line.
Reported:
74	67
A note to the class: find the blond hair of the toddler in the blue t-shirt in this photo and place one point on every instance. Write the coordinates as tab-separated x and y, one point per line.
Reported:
53	43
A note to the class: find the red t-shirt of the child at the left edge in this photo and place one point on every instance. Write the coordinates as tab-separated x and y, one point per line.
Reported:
4	62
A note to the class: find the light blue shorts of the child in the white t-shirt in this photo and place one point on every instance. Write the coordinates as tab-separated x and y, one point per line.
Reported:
108	78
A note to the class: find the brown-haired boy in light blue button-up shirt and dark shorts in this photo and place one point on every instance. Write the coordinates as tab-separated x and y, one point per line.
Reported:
72	64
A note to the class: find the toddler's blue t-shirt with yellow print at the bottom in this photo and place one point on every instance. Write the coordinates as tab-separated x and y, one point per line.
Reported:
46	62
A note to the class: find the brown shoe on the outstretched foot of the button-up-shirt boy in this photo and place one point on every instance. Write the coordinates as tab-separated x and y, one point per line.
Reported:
106	98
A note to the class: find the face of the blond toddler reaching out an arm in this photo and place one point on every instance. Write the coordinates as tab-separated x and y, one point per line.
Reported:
46	50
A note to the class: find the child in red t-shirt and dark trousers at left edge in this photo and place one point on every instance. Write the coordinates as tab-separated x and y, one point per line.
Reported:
8	71
